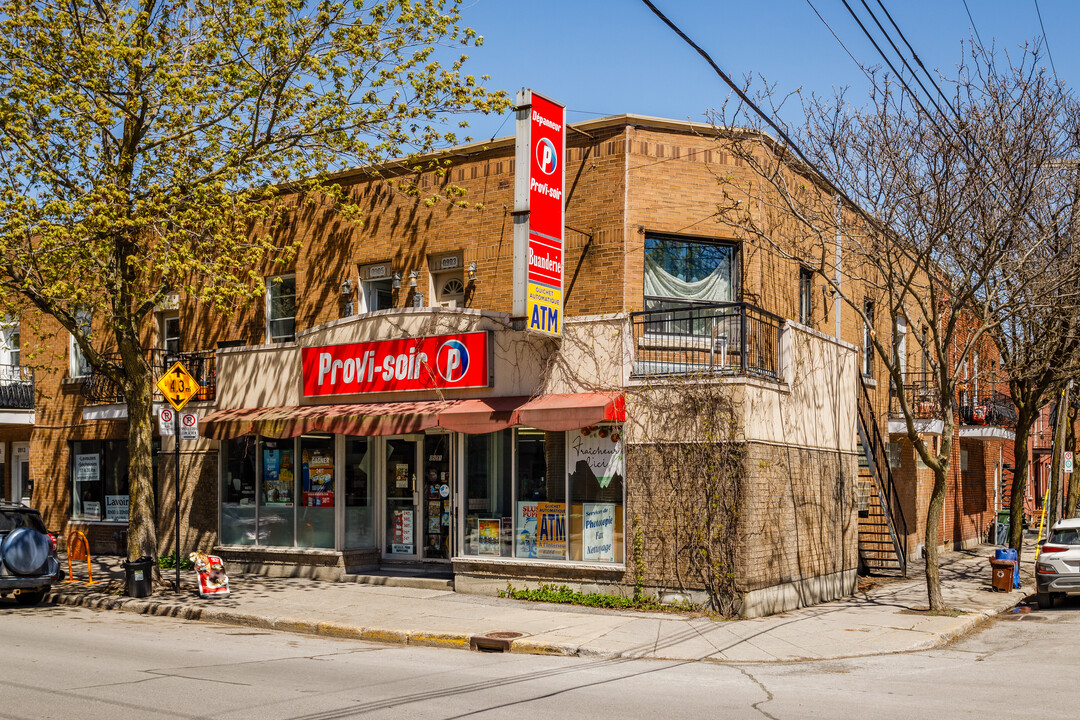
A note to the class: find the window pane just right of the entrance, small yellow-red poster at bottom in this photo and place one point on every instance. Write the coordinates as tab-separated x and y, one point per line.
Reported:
490	510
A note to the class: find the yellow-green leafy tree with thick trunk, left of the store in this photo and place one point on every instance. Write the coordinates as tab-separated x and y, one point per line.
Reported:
145	148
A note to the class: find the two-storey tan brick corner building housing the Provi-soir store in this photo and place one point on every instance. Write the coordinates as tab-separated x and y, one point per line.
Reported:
665	314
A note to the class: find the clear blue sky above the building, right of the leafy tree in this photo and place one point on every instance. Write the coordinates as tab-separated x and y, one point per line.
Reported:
613	57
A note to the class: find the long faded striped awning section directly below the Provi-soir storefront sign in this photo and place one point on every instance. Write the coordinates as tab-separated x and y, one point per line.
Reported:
354	419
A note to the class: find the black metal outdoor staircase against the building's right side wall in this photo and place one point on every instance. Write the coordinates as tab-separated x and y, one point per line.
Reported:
883	529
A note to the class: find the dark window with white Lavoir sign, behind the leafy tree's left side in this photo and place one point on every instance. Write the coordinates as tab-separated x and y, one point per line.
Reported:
100	481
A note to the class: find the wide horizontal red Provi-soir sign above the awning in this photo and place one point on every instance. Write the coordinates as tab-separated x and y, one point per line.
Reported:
389	366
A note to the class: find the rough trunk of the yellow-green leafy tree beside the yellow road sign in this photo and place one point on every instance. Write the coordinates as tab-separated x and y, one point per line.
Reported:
142	520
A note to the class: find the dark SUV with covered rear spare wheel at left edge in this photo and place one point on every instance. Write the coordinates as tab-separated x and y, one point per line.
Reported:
29	564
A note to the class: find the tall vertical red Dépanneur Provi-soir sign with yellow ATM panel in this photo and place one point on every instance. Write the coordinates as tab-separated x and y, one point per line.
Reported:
539	183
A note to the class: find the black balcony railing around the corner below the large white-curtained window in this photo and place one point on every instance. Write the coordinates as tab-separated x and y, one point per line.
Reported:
730	338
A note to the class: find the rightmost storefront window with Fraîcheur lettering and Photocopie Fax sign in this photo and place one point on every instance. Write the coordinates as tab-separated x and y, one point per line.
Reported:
596	470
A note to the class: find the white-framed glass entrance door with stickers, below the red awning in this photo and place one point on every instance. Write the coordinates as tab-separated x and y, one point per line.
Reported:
402	521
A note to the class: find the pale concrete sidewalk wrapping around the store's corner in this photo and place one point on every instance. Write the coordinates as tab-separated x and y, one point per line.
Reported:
888	618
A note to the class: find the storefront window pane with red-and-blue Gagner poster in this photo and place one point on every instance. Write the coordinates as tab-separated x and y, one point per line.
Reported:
315	522
